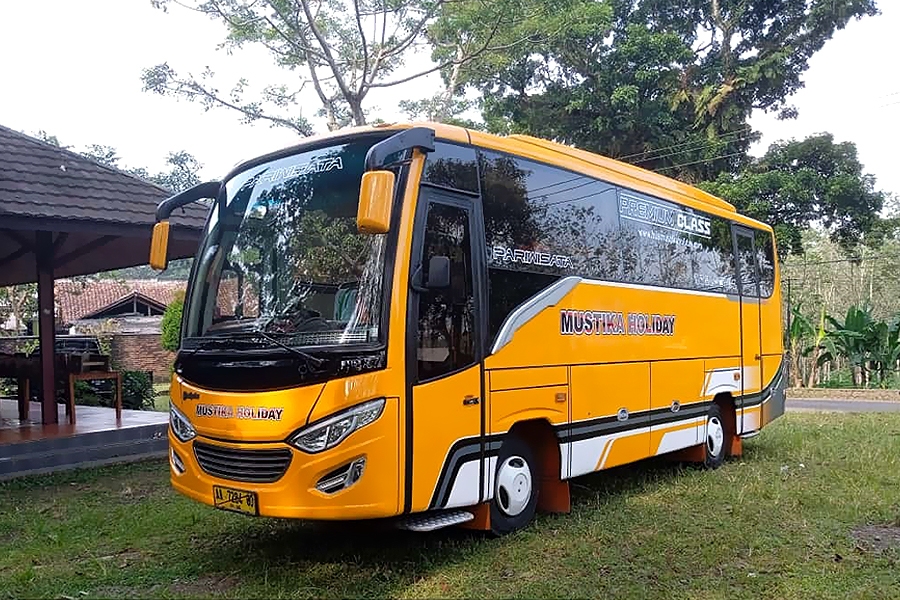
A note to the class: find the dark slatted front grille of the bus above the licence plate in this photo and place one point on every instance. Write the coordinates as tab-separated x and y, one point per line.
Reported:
256	466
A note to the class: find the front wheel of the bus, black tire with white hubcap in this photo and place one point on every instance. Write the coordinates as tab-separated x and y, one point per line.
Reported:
516	481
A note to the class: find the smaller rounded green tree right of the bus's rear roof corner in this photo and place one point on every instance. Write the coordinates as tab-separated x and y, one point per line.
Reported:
799	183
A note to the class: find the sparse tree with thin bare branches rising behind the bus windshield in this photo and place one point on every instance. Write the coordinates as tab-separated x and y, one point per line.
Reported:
342	49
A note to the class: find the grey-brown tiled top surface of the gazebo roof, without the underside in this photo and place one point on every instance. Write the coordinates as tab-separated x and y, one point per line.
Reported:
41	180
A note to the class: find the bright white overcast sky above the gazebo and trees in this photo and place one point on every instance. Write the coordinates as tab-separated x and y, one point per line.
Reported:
73	69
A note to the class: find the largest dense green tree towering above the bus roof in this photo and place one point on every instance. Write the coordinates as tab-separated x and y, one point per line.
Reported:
667	84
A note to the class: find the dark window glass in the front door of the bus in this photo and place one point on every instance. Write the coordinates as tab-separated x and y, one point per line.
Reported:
446	336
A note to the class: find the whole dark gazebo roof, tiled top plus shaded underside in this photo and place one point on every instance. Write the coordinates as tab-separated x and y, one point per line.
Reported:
101	217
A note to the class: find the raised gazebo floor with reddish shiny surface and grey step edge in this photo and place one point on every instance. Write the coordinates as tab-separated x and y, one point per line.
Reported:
29	448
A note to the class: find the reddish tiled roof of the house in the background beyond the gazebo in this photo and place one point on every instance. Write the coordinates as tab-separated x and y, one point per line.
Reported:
76	300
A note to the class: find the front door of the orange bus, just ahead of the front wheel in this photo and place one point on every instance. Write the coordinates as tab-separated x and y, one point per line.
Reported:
444	466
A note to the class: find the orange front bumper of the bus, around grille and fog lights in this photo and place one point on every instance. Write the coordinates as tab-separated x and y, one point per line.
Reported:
294	494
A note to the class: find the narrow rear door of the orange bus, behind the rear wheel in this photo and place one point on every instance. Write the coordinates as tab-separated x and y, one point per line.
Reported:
751	347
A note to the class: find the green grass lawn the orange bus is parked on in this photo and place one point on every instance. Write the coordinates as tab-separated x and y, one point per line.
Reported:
811	511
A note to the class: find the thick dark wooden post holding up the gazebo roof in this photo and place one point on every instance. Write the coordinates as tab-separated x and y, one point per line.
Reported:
47	326
